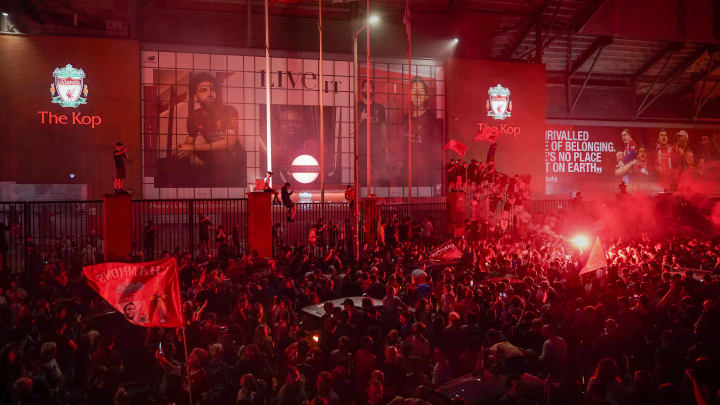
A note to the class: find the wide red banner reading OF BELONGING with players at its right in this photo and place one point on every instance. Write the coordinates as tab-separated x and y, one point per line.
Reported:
596	159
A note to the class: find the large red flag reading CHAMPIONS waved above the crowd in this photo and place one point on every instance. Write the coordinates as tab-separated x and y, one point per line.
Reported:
148	294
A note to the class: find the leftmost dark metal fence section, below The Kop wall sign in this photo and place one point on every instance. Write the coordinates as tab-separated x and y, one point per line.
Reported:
35	232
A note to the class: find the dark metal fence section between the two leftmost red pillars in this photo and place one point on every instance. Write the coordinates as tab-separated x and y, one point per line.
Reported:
188	226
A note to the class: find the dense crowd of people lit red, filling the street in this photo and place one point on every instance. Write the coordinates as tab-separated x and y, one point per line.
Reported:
513	311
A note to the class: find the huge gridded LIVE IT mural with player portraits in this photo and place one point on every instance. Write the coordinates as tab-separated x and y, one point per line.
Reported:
204	126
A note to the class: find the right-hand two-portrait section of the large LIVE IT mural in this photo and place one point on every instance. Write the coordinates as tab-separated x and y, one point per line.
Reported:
390	93
